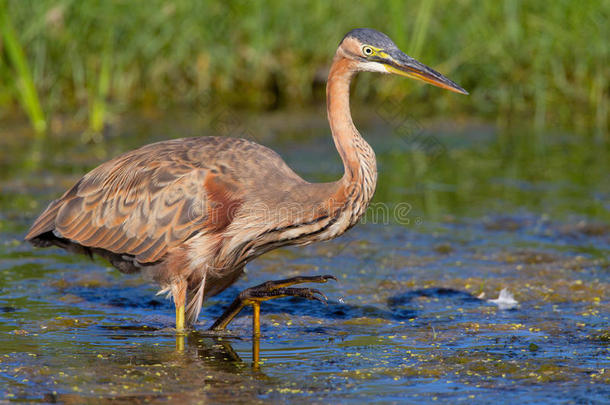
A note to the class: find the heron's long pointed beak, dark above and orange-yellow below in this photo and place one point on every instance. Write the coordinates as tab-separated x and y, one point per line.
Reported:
404	65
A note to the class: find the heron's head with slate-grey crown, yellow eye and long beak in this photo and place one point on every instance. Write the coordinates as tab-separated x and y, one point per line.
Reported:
374	51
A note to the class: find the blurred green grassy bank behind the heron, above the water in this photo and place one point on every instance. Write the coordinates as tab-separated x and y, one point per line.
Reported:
545	63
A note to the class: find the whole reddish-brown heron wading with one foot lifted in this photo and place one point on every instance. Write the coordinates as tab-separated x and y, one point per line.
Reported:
191	213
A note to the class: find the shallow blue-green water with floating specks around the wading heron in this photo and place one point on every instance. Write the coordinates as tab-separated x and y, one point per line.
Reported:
409	318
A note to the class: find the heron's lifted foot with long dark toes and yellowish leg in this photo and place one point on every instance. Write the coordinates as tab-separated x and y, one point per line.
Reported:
268	291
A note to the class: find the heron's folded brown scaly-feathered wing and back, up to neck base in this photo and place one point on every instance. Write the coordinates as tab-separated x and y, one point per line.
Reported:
151	200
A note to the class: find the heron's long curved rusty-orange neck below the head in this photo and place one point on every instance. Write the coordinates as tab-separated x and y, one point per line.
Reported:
357	155
